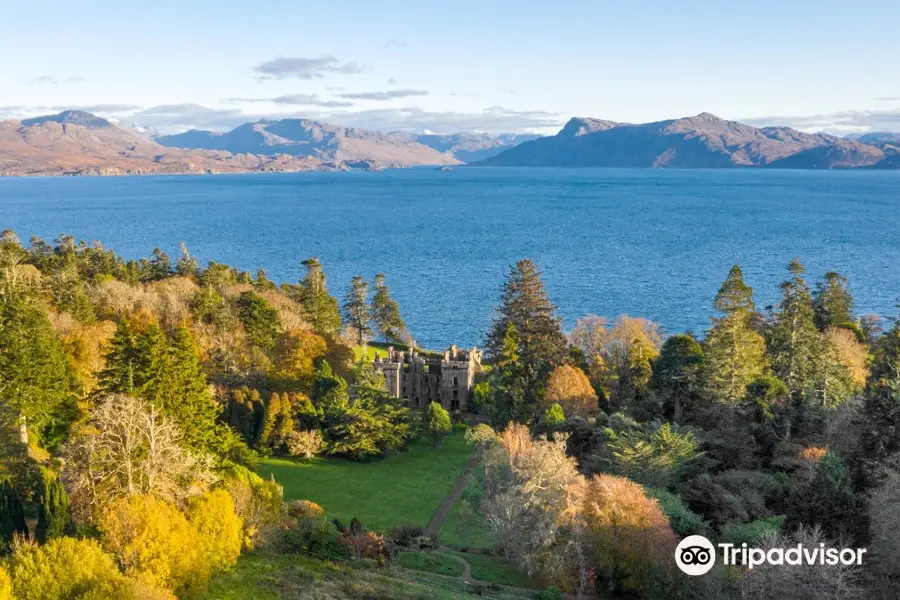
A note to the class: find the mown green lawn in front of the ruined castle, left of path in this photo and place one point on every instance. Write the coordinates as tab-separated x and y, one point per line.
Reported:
403	488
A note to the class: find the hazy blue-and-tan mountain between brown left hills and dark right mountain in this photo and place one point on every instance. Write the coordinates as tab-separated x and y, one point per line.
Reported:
323	141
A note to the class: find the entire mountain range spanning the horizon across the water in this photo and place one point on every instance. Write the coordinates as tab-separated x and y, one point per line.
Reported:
77	142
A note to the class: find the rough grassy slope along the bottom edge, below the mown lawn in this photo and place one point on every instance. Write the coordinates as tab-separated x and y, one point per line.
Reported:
265	576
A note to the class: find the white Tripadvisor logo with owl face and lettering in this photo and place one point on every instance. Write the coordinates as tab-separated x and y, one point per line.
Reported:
696	555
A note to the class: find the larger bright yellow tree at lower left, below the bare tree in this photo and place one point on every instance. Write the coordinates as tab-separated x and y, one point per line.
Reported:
154	541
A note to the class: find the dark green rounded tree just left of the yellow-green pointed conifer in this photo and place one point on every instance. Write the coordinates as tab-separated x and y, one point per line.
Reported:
676	375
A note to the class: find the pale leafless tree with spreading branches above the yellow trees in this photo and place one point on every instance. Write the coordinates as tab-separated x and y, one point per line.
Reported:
128	448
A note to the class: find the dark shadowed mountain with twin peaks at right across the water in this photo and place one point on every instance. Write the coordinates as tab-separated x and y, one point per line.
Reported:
702	141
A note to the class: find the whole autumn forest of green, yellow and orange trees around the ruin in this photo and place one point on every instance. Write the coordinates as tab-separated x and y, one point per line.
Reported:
138	398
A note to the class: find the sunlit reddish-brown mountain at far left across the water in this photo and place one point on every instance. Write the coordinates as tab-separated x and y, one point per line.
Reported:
79	143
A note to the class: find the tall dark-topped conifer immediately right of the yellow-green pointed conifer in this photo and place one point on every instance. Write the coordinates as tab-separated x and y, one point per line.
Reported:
794	342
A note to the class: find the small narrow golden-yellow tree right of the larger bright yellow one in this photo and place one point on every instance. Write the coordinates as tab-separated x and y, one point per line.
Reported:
219	528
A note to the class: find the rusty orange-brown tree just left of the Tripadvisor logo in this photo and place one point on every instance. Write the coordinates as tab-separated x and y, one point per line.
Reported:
631	538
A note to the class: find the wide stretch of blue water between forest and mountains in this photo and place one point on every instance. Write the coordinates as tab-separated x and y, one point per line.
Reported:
654	243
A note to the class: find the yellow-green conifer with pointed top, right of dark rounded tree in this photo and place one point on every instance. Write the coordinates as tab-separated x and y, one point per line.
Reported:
735	353
